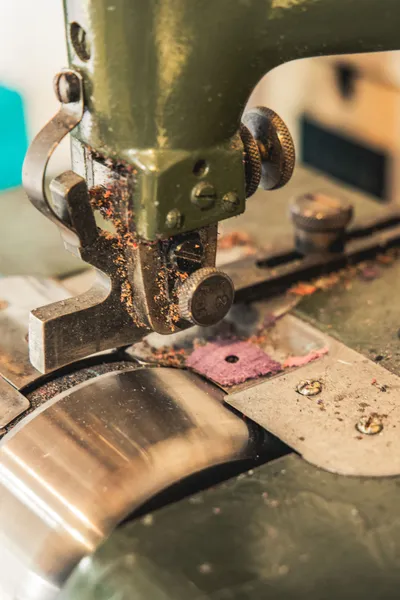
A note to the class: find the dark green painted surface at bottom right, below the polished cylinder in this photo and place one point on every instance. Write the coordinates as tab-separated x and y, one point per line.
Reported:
283	531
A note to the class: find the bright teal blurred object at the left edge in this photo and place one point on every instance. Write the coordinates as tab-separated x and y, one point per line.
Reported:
13	138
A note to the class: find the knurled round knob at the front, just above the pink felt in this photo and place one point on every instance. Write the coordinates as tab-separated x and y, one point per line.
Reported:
205	297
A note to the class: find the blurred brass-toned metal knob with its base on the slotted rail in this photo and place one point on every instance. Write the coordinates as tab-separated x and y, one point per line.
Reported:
320	222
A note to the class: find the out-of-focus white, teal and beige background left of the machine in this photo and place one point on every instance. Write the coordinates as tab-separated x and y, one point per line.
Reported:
32	50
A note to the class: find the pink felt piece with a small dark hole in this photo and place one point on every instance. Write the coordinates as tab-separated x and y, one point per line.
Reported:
245	361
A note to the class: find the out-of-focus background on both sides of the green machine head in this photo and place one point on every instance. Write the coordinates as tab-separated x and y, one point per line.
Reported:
343	112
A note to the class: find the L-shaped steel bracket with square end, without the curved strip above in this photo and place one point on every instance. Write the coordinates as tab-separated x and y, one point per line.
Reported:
97	320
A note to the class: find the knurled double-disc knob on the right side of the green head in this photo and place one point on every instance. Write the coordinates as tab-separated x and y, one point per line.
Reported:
275	146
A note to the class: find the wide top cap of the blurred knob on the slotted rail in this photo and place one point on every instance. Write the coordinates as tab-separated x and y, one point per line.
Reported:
319	212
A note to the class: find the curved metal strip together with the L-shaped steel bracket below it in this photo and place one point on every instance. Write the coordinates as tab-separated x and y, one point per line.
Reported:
74	328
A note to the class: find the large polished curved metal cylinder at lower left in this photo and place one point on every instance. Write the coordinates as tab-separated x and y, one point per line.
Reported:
83	461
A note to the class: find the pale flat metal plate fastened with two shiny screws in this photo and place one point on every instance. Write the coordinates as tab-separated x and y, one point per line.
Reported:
323	428
